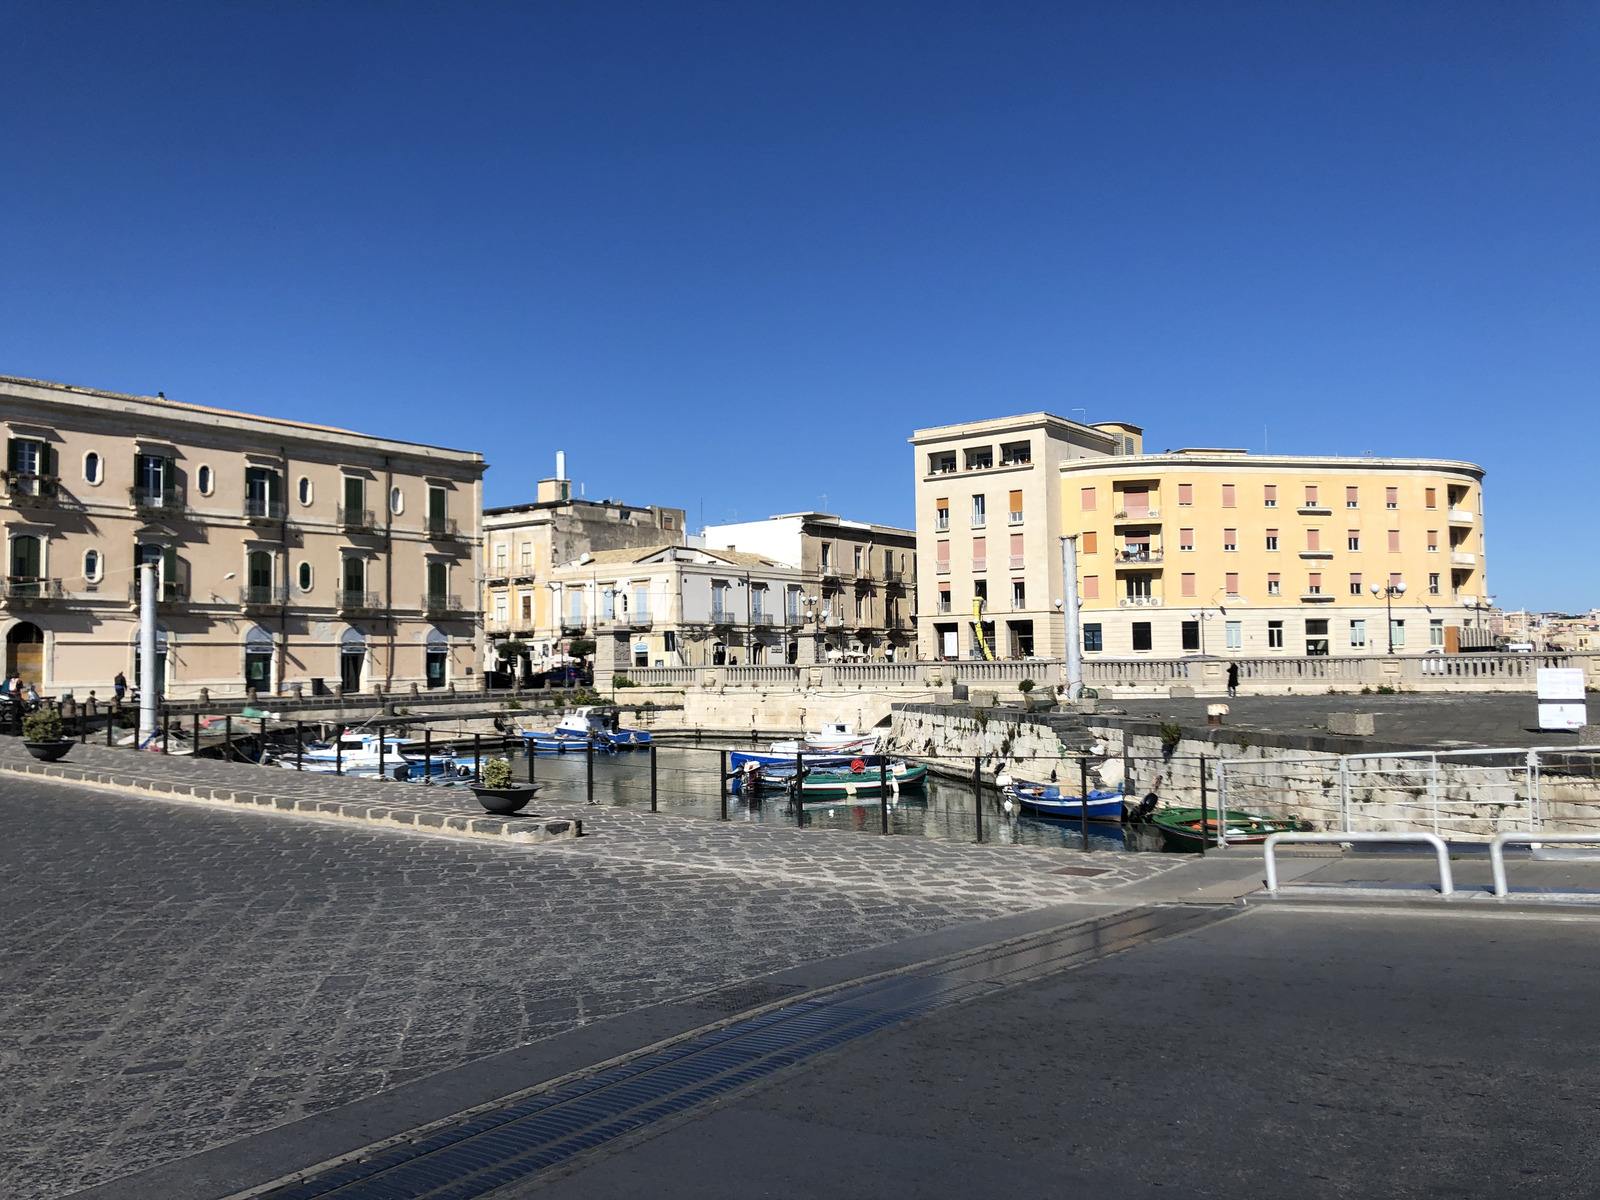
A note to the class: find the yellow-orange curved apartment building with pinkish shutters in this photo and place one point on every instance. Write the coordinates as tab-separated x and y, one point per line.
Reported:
1233	554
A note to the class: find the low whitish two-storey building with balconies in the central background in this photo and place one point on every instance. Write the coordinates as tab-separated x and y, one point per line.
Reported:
679	607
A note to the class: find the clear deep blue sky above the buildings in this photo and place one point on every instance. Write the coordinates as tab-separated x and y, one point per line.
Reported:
730	255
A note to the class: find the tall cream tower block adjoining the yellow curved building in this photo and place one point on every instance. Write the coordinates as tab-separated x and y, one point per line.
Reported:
990	530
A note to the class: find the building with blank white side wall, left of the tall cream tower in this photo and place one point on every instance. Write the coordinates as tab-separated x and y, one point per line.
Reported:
858	583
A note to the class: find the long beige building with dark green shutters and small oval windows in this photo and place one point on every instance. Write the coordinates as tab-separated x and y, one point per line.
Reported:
287	554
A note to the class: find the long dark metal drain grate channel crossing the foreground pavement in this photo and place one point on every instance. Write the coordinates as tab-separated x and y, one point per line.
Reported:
508	1145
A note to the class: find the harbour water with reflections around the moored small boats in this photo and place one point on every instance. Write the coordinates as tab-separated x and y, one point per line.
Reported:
687	782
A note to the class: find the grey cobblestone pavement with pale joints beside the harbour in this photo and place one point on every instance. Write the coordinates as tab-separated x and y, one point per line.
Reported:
180	975
